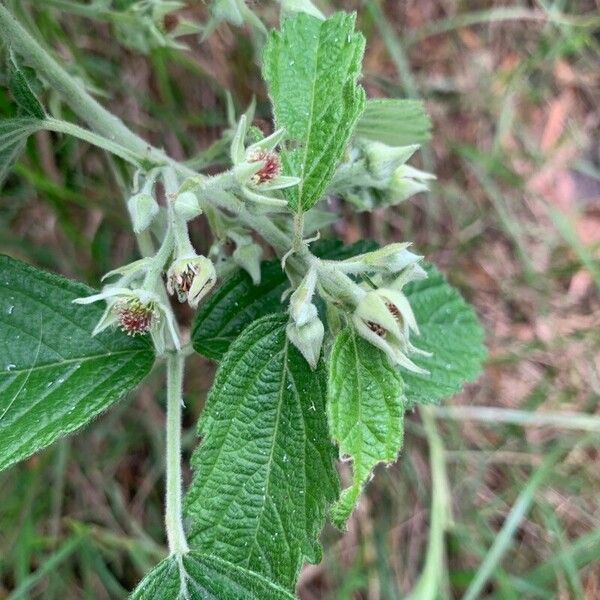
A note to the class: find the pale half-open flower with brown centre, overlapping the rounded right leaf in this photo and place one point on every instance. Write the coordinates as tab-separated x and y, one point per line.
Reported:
385	318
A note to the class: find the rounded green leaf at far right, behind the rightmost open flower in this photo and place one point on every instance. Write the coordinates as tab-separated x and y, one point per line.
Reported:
451	331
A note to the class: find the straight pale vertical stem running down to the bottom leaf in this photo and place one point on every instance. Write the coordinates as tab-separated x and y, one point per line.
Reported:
173	513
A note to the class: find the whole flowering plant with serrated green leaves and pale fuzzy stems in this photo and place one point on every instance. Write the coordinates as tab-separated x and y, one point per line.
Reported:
320	351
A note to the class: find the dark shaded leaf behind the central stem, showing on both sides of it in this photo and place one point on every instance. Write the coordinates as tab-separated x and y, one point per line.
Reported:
238	302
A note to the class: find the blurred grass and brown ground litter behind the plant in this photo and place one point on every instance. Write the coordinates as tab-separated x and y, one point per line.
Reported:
496	493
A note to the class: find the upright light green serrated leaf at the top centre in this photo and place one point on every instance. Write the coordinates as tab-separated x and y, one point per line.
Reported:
311	67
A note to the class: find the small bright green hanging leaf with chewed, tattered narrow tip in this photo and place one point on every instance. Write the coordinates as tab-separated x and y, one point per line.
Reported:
366	411
